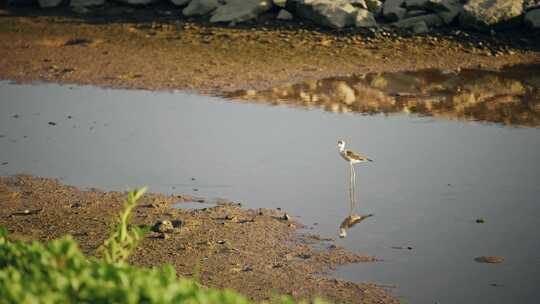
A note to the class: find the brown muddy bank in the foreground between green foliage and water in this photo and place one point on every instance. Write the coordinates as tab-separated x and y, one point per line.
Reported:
256	252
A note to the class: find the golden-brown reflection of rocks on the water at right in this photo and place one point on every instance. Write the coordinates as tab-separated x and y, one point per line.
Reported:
469	95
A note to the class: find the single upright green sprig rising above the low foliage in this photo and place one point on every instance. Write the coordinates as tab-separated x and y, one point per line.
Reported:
122	241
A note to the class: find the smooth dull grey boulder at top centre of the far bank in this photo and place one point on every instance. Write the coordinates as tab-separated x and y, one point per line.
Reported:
236	11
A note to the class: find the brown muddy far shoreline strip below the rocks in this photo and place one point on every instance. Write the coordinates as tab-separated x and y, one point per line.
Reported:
142	49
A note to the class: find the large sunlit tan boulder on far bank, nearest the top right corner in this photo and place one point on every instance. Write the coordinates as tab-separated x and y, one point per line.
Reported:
486	14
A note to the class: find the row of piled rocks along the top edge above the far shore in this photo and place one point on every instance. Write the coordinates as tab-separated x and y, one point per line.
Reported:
415	16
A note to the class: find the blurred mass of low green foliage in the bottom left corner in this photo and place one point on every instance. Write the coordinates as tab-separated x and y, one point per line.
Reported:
60	273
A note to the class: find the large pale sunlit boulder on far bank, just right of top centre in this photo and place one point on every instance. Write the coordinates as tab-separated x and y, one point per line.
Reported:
330	13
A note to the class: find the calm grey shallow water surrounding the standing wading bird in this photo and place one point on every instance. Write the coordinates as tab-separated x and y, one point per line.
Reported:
430	180
